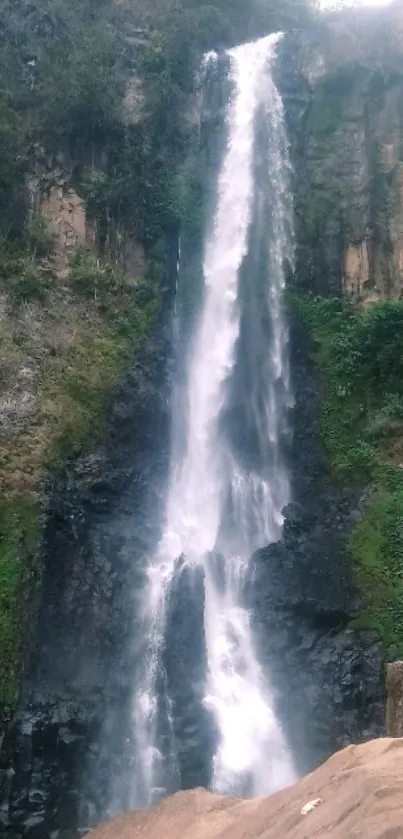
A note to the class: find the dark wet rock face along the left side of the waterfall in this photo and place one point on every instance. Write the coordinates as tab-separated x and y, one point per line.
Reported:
102	520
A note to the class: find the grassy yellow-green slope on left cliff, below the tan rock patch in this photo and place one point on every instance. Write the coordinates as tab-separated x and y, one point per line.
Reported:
81	344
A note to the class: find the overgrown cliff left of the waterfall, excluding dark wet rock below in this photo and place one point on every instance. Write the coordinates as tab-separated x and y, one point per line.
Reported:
88	238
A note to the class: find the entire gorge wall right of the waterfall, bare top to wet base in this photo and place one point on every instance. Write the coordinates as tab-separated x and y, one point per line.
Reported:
325	595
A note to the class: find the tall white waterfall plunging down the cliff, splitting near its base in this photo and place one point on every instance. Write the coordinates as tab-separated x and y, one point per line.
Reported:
218	511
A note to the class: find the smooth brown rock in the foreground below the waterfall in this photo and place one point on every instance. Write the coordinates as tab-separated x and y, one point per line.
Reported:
360	791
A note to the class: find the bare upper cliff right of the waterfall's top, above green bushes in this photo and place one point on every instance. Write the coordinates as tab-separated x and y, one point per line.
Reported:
344	83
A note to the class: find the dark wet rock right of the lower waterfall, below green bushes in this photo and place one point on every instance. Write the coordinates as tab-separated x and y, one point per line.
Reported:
328	677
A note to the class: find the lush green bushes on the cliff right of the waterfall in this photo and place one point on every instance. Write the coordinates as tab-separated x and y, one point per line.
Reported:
360	355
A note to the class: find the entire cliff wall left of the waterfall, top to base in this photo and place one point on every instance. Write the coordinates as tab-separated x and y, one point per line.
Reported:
86	291
